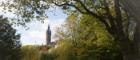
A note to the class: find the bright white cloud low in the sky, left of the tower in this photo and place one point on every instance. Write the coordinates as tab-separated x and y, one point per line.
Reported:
33	37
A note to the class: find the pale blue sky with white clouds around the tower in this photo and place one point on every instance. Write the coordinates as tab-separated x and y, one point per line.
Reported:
36	34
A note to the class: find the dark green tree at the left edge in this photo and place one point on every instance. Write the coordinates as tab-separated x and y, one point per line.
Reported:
9	41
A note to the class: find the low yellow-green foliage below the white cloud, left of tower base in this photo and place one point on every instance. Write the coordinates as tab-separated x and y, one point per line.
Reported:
32	52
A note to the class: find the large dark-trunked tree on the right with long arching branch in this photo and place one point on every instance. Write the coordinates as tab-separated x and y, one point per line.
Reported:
113	16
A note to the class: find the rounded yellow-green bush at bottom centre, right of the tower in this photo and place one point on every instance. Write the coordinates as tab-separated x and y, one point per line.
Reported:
64	51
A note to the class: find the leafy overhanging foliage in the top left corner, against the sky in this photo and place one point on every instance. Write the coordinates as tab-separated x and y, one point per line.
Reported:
25	10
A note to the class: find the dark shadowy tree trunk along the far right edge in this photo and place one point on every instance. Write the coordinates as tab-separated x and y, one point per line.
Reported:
133	8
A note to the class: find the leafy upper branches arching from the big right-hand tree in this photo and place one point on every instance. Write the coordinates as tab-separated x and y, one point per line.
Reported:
100	9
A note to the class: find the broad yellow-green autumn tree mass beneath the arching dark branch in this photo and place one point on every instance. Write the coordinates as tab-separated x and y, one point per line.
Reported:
84	38
